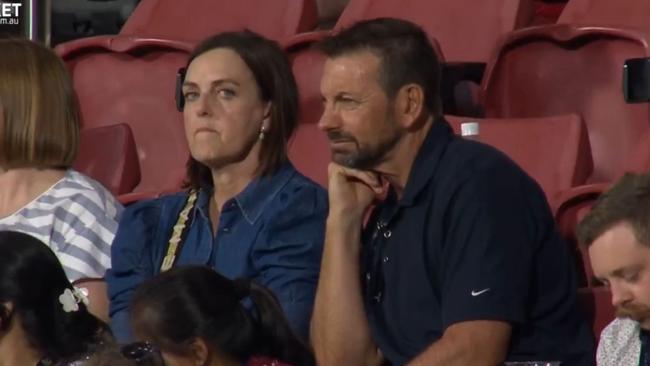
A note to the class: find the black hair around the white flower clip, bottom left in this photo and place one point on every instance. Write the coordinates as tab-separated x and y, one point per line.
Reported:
32	279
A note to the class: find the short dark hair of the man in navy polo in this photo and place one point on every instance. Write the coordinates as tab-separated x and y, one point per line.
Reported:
406	54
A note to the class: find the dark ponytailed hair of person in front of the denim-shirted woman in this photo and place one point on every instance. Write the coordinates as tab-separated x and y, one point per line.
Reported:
176	307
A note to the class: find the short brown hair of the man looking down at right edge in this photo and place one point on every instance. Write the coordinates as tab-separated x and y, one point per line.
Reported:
627	202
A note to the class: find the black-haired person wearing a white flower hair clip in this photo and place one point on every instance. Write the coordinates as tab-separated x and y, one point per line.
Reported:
43	318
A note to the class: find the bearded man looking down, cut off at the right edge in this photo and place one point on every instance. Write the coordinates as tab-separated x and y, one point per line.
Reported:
616	233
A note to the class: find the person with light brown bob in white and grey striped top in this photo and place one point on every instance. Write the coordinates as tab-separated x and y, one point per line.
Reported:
39	192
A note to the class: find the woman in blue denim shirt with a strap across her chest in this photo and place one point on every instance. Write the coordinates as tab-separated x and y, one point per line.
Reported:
247	212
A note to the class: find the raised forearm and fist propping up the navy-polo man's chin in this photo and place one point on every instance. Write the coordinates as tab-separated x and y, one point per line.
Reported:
339	330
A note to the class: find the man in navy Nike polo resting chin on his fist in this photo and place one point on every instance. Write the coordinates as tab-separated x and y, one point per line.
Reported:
461	264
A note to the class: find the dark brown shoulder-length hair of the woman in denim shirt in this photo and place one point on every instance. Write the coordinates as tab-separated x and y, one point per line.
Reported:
272	72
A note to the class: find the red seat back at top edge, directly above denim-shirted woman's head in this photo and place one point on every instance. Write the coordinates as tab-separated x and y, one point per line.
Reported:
198	19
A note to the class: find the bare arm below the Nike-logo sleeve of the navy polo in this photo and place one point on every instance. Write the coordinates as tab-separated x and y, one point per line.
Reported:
479	342
